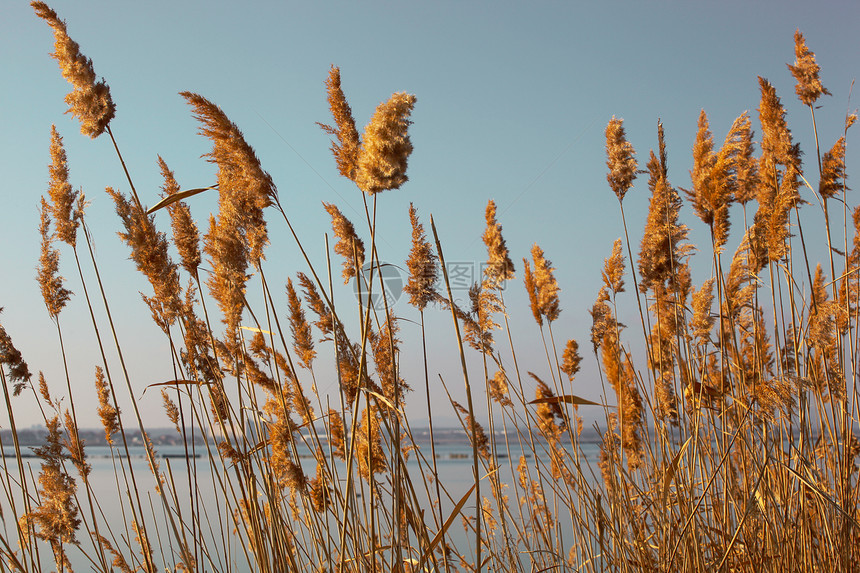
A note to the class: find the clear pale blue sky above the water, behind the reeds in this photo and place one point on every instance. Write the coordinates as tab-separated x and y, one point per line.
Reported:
512	102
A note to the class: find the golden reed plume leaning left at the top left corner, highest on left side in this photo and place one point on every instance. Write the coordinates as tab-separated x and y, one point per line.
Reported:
89	101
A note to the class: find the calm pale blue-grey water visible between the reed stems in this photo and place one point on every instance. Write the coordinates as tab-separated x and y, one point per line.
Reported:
453	461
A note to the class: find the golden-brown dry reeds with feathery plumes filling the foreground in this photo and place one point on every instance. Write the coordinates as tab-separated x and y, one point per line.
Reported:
732	446
